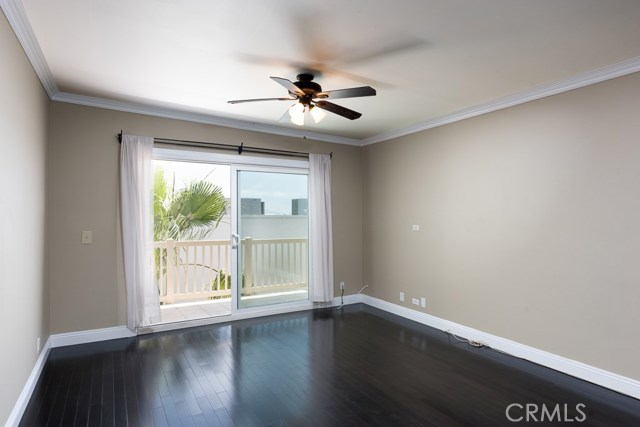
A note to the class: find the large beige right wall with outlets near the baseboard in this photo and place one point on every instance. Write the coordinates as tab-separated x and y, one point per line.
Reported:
530	223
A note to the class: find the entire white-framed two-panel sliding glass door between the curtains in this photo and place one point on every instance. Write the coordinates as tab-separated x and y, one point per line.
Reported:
230	233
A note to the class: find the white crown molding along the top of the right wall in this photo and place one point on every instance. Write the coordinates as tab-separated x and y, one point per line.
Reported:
575	82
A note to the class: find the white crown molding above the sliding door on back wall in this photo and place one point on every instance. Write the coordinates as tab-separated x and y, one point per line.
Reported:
176	114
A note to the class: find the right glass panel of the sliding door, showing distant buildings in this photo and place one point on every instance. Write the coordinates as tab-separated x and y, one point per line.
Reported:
271	236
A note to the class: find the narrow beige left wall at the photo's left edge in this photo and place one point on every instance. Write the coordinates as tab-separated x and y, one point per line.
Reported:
24	299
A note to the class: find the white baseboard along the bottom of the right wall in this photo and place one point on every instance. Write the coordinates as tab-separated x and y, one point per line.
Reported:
598	376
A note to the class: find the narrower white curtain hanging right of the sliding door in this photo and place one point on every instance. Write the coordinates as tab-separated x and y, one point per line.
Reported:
320	228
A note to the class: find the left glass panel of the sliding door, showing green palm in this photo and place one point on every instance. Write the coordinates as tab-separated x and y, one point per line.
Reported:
192	247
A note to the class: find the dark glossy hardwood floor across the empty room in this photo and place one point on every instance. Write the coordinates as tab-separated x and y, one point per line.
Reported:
356	367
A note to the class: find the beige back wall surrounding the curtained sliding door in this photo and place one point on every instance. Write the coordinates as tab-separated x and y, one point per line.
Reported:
87	290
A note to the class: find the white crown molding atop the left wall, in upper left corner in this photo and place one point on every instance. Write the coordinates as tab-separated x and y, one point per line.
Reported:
17	17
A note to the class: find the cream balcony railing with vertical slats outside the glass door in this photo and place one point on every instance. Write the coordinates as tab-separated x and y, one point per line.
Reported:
201	269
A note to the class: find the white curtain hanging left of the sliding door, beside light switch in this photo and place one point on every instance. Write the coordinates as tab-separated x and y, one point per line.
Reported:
143	305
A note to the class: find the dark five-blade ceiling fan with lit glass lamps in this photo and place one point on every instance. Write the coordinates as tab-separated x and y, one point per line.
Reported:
310	95
